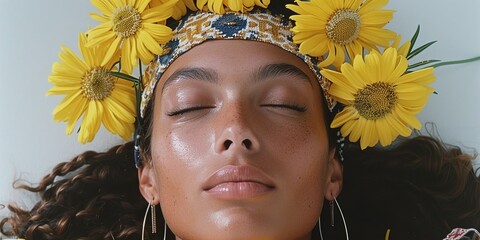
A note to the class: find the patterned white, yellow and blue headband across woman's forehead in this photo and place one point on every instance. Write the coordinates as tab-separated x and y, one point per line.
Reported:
203	26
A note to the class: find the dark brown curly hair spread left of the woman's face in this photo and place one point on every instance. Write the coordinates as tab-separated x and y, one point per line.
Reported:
93	196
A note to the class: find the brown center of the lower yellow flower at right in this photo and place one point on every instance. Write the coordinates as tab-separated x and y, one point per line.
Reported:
375	100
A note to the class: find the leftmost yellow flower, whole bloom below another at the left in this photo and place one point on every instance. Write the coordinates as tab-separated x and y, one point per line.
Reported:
92	92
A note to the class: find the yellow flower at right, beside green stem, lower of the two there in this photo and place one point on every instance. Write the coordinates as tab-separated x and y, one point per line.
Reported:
380	98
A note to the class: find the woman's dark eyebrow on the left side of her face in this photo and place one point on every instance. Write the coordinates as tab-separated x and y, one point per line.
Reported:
196	73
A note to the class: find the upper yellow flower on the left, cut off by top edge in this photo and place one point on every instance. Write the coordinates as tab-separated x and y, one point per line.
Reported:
131	26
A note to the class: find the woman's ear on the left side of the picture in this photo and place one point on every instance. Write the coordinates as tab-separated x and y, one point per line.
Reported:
147	183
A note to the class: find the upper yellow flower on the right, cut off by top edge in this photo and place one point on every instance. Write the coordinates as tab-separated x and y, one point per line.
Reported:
336	26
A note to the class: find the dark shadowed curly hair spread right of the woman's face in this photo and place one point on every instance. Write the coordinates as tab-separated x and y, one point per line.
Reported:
420	189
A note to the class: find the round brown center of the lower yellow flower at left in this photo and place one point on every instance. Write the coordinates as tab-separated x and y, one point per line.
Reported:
97	84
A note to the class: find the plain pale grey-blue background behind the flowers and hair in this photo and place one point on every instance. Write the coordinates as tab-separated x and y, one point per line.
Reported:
31	33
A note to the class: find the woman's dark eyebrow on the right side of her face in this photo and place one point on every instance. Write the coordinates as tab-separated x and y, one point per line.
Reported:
279	69
